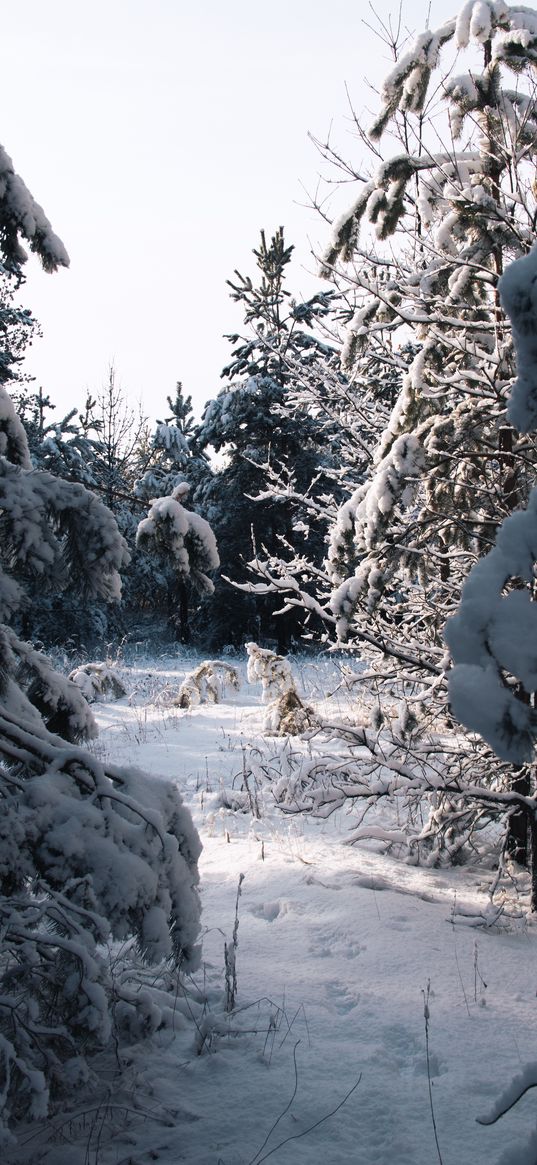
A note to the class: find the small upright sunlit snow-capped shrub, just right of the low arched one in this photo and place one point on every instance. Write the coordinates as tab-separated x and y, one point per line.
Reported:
286	715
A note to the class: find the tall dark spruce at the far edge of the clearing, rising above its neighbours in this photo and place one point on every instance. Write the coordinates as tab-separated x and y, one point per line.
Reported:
252	425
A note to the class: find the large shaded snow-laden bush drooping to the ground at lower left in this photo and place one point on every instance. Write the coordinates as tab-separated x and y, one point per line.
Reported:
88	855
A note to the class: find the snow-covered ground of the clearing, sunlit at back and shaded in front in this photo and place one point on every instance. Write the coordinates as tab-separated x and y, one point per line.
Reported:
327	1056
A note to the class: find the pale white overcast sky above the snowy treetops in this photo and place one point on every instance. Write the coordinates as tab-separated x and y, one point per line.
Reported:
160	137
